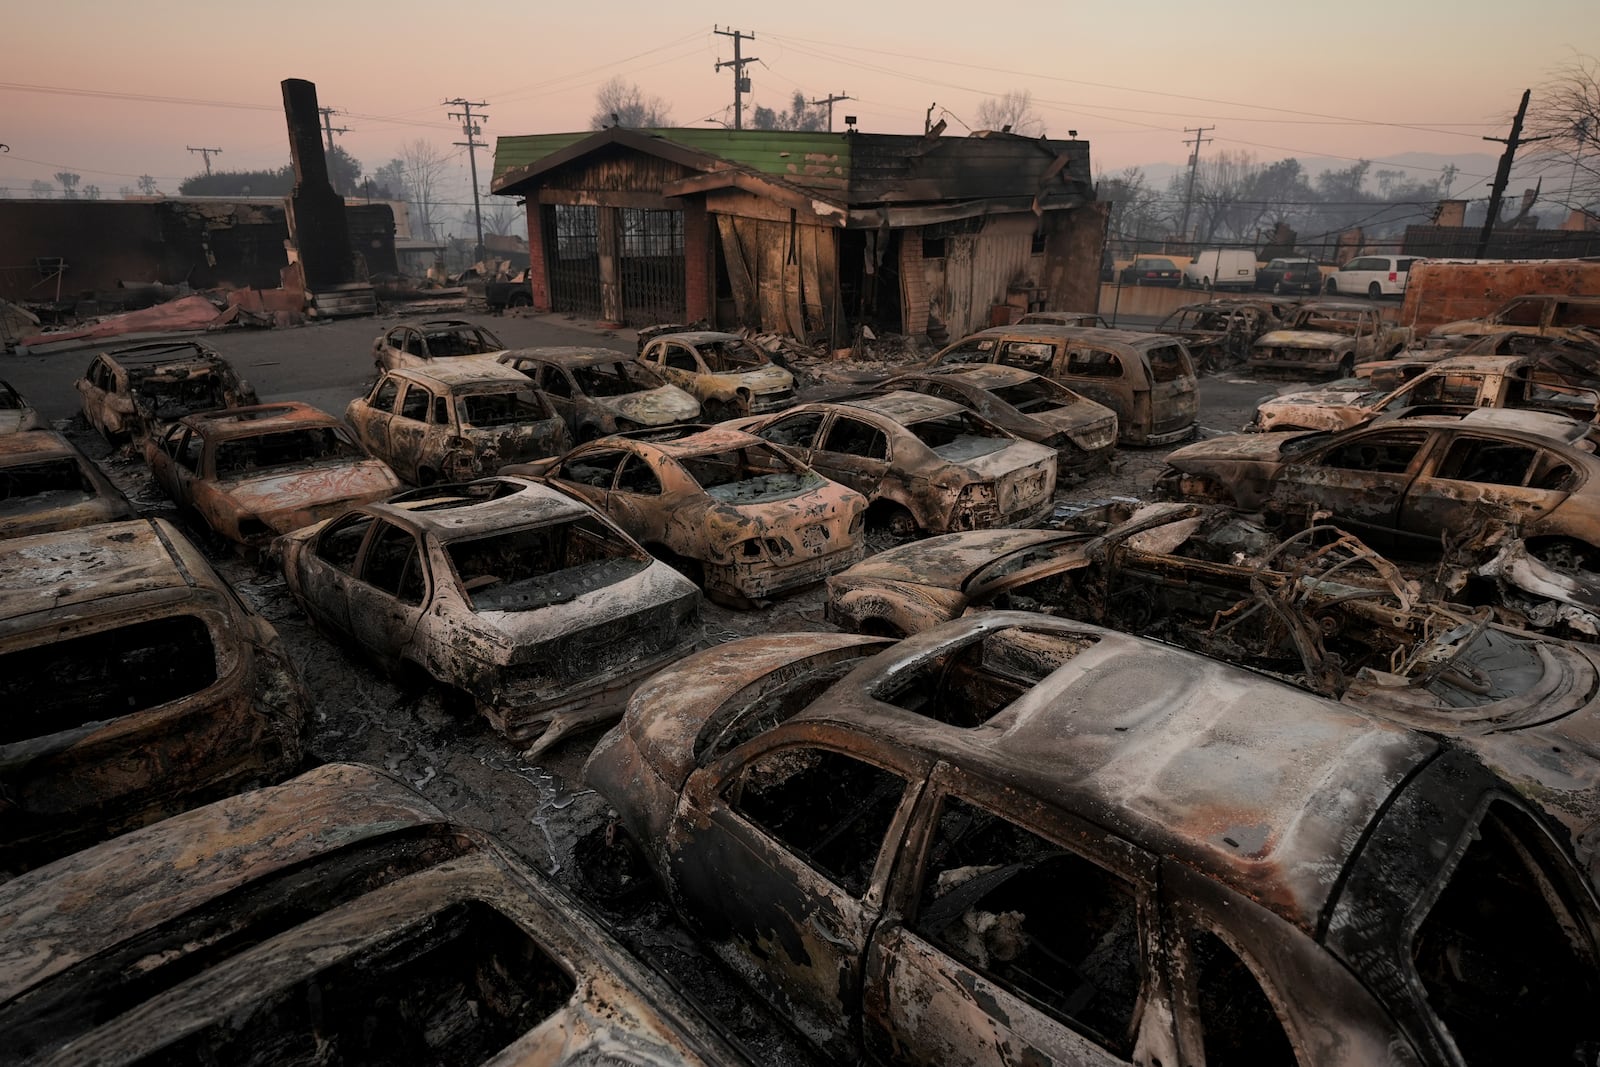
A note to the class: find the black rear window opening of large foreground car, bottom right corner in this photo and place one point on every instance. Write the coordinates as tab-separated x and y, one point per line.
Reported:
1506	957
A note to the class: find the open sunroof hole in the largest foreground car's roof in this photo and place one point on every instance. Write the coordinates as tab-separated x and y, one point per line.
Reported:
978	679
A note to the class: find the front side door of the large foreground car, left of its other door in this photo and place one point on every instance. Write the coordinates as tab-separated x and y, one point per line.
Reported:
782	853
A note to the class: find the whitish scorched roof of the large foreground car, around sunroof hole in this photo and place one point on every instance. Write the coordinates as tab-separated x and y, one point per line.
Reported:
1250	780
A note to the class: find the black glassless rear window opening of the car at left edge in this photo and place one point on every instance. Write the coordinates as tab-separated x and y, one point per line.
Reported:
103	676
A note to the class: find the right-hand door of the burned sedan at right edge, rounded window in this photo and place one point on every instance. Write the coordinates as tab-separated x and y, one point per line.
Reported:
1476	478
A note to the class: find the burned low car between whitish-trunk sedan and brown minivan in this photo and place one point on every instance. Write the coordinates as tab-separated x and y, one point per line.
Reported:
1030	406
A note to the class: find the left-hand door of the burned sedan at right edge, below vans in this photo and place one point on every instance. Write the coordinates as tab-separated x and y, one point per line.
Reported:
1361	479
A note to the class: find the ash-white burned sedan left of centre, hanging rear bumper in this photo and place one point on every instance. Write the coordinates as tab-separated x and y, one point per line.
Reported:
534	605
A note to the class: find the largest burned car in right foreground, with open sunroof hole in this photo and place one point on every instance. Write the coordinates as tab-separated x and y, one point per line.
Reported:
1025	833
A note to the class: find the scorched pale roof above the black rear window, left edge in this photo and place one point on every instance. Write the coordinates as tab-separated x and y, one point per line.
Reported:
81	567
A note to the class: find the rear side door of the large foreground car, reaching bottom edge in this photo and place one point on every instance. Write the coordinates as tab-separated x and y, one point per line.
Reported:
1015	927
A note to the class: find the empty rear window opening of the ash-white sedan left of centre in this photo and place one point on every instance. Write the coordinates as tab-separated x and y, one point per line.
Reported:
526	570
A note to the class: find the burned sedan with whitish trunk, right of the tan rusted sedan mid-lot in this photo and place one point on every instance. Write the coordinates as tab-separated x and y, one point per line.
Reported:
924	463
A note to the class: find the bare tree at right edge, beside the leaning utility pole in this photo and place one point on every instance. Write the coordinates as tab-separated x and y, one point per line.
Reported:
1567	111
